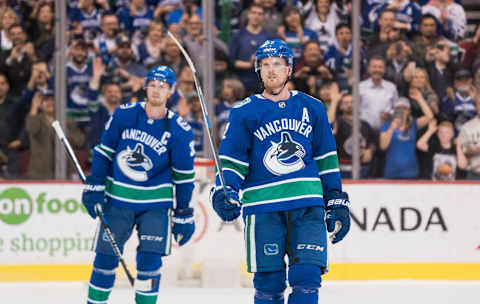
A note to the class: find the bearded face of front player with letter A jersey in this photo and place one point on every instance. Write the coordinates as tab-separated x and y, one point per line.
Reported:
274	72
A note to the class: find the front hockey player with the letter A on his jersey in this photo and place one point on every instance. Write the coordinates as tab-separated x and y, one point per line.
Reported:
278	148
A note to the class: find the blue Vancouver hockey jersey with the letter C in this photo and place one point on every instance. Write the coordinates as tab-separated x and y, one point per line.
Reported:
142	162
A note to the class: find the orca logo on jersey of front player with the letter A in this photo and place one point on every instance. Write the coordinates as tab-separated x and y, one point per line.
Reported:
284	157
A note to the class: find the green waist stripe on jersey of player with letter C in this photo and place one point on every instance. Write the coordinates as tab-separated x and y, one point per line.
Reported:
137	194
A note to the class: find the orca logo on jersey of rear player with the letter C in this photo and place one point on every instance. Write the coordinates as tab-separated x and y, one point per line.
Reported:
134	163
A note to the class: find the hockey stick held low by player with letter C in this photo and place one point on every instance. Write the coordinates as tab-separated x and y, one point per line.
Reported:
98	208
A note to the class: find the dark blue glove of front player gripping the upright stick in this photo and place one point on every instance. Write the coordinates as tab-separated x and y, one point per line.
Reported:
227	208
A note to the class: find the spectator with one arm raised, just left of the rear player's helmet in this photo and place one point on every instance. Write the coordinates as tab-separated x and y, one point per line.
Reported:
102	102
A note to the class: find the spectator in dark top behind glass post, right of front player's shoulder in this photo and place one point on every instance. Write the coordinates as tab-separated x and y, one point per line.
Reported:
343	130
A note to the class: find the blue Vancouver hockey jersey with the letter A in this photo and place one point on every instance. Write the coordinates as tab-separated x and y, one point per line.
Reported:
281	155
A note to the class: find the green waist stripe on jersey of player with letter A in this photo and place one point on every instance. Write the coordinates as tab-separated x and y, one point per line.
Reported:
285	190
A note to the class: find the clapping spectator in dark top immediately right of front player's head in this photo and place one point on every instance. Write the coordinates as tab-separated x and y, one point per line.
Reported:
311	72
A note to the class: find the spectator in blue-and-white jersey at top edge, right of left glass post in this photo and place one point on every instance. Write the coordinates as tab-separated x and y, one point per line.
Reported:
88	17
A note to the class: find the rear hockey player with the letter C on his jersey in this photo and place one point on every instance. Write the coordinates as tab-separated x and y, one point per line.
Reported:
146	153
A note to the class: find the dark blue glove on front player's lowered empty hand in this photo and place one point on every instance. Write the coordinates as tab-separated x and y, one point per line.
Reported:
338	215
